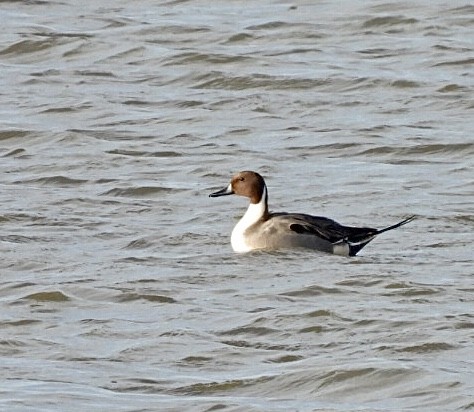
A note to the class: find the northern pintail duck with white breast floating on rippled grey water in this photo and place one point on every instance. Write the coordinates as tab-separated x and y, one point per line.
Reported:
260	229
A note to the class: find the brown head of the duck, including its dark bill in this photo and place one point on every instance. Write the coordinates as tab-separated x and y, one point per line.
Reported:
248	184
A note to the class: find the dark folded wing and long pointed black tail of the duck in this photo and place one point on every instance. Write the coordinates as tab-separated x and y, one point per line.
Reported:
355	237
